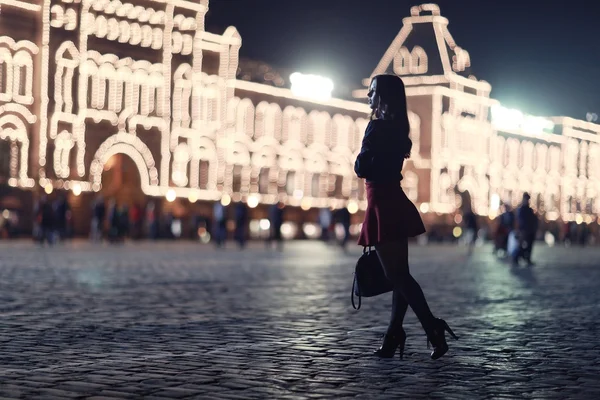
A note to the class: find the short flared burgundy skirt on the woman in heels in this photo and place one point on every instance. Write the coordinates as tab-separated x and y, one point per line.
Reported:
390	215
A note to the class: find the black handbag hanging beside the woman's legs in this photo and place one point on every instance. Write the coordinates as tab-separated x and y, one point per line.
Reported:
369	277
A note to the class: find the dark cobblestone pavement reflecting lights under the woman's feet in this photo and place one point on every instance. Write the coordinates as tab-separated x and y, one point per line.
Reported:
178	320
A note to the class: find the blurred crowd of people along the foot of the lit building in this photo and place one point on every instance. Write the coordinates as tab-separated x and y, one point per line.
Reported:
513	229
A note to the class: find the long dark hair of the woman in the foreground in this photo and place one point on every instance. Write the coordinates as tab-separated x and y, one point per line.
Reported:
391	92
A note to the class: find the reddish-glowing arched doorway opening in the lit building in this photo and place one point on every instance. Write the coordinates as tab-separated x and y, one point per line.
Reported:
121	181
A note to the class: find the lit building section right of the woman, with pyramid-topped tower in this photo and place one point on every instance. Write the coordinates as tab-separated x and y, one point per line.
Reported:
472	148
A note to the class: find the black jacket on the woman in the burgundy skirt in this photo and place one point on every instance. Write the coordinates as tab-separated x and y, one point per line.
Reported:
382	154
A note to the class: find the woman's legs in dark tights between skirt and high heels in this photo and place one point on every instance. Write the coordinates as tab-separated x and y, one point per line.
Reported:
407	291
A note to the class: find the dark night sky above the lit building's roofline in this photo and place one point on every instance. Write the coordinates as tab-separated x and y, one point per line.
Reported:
543	59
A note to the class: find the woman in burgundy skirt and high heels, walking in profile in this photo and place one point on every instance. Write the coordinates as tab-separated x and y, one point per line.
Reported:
391	218
